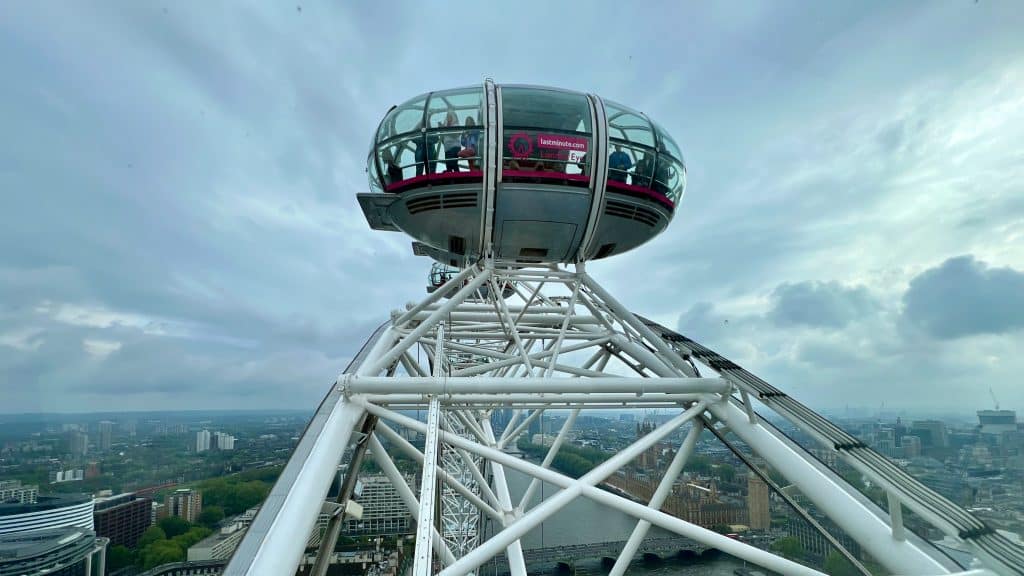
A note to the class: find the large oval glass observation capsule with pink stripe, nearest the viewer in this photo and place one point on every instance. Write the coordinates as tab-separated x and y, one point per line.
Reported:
525	174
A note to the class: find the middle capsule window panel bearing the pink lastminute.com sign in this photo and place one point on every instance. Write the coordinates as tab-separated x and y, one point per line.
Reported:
548	137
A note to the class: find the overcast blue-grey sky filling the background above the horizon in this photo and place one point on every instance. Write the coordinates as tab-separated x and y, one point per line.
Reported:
179	224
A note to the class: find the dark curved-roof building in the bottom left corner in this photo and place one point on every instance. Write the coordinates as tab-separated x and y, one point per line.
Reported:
58	552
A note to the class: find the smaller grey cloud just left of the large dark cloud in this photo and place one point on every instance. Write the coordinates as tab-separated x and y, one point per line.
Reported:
822	305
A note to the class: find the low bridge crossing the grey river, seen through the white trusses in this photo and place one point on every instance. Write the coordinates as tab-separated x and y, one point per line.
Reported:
661	548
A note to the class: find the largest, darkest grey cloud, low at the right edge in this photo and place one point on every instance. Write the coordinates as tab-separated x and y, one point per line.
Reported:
964	298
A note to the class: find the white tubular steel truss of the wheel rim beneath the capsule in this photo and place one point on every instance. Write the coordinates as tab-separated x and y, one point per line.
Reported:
563	343
